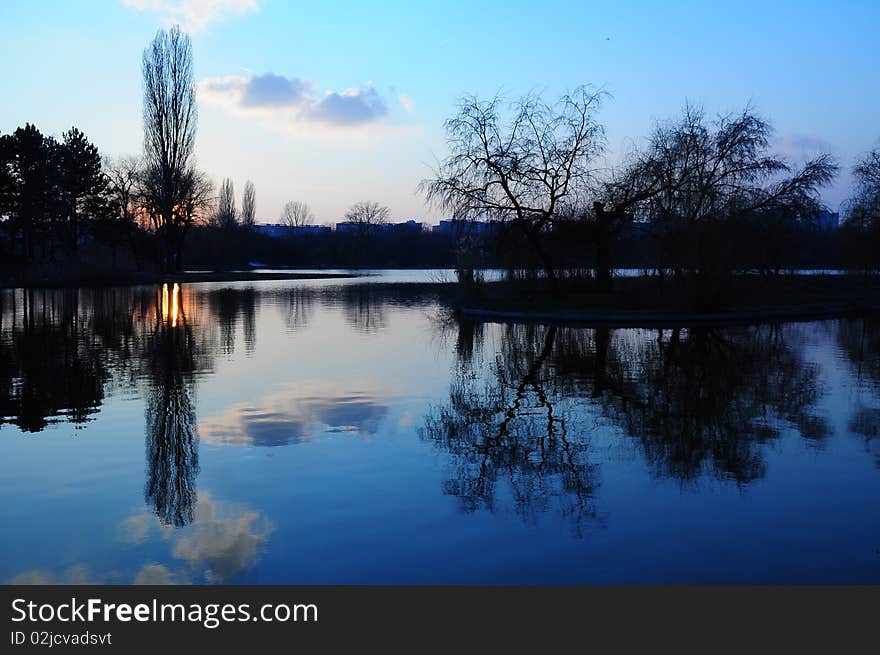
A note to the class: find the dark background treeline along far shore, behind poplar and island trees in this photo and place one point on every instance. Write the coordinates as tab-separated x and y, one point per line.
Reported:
67	211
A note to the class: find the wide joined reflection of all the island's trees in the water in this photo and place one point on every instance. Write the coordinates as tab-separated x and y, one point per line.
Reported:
698	402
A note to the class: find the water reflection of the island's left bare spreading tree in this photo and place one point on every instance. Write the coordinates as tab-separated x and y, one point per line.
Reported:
509	428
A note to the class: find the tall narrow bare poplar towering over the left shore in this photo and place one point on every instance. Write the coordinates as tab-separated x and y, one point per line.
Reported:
170	115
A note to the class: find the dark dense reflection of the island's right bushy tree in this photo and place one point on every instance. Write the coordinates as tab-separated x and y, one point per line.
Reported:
702	401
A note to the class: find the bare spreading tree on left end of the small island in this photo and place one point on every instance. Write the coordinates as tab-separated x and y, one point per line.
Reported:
527	165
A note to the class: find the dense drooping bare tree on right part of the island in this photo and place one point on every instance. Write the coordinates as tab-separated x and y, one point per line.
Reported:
704	178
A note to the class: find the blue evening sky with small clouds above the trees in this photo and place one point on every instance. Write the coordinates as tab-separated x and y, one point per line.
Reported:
331	103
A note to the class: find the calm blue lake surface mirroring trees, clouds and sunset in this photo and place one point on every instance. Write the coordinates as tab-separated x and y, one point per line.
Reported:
342	432
